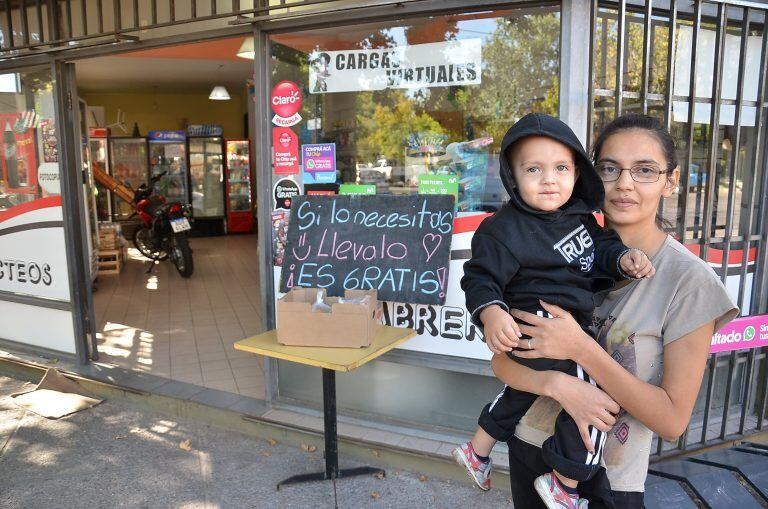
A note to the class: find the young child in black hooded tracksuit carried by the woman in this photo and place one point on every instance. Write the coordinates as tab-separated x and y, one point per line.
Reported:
544	244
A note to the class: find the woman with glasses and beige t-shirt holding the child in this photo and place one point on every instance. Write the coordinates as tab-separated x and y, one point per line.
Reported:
653	334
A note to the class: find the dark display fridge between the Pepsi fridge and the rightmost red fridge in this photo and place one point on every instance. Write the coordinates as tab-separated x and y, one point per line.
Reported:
206	183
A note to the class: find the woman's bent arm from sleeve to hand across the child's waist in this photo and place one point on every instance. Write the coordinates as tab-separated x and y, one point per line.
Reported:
665	409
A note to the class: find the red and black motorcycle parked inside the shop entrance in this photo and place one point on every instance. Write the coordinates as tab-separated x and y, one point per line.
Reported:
164	227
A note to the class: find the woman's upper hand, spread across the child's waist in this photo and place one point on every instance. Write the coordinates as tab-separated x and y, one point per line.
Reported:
560	337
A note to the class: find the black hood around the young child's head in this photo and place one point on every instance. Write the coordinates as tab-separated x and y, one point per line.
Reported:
588	192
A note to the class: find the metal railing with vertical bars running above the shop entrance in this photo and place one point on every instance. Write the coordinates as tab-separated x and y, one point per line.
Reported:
31	26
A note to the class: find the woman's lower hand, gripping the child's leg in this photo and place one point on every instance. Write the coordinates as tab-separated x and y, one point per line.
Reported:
587	404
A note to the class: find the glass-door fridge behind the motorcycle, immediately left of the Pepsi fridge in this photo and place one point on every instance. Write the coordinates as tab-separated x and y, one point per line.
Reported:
130	164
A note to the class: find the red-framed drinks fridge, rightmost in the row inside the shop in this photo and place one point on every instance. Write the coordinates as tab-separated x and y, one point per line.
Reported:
239	201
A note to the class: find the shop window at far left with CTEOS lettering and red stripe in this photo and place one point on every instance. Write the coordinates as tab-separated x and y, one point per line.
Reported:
33	262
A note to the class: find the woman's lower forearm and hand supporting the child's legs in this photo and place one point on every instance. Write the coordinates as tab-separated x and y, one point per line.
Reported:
585	403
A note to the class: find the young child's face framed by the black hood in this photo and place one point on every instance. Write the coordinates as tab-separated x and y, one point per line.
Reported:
545	172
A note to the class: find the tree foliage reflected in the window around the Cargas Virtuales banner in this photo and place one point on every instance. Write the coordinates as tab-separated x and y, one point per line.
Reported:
519	75
